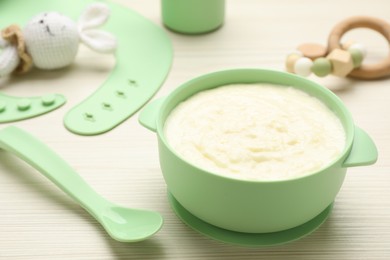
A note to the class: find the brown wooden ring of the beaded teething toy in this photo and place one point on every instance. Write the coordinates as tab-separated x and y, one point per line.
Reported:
365	71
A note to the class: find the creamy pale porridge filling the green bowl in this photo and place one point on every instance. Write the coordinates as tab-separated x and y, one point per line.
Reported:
255	132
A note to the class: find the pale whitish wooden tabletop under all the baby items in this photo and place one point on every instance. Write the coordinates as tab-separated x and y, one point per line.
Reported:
38	221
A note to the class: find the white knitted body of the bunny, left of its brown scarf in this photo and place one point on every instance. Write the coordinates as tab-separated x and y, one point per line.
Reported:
9	58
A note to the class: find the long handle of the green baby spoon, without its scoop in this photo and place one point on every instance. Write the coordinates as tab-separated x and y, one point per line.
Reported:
42	158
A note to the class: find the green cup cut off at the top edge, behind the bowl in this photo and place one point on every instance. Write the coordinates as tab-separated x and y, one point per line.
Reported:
193	16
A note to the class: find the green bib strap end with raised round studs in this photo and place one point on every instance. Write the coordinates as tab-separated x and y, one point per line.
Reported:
19	108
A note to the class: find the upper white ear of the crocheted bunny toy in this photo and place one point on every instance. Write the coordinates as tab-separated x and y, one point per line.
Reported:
94	16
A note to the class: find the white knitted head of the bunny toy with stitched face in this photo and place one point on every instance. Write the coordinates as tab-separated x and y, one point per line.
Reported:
52	40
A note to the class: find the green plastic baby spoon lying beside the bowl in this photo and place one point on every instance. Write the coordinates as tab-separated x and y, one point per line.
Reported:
122	224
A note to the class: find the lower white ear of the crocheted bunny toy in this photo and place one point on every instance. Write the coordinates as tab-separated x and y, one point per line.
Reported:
99	41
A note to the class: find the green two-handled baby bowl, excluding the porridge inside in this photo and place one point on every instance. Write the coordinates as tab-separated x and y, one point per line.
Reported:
255	206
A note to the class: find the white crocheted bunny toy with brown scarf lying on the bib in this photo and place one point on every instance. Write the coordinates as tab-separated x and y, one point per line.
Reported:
51	40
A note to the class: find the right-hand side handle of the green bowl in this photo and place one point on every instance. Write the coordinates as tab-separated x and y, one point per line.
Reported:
363	152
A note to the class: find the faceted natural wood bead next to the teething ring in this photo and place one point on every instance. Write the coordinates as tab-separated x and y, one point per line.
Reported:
342	63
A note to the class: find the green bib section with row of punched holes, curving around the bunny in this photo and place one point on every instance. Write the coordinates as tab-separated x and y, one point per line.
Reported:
143	60
